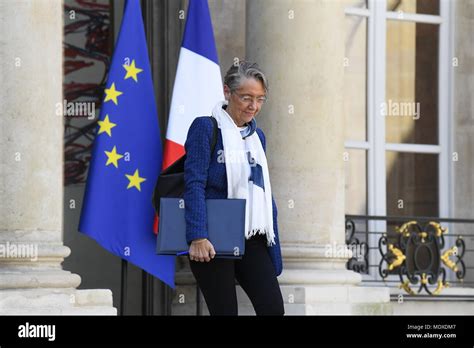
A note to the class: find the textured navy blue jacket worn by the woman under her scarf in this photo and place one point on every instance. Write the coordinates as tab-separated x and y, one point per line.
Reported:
206	178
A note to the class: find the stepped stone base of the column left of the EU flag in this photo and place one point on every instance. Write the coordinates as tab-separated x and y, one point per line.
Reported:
37	284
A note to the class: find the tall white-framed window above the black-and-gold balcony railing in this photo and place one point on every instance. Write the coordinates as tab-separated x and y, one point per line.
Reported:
397	85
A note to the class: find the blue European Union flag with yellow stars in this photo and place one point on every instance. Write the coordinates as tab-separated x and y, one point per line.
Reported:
127	155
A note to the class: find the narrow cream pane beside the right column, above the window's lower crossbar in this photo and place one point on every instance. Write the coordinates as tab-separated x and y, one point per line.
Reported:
355	77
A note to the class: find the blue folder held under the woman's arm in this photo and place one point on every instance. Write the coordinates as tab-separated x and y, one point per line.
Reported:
225	227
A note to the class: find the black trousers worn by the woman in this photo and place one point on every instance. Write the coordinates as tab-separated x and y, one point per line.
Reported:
255	274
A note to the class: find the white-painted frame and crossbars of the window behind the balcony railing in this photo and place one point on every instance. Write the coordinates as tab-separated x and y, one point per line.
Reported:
375	144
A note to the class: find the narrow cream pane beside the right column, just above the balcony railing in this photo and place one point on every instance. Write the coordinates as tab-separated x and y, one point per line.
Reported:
356	181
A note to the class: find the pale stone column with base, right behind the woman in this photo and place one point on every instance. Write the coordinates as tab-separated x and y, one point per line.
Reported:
300	46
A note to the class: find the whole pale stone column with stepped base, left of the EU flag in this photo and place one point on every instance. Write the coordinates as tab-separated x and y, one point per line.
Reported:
31	167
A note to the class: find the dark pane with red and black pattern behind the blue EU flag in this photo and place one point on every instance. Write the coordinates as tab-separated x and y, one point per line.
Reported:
88	44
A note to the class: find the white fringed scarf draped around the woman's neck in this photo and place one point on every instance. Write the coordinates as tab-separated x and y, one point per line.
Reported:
259	208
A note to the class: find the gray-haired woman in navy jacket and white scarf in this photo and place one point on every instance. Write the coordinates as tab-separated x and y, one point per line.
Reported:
207	176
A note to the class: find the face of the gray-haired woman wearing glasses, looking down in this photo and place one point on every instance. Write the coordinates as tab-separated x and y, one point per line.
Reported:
245	103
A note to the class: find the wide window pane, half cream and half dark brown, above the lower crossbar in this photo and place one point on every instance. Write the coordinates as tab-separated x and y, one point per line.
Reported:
411	105
